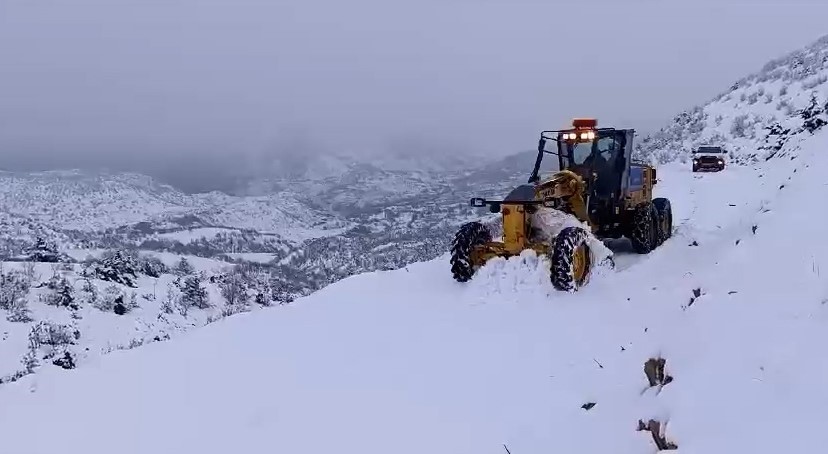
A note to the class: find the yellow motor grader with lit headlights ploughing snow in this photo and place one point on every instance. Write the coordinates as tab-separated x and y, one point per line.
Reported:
596	185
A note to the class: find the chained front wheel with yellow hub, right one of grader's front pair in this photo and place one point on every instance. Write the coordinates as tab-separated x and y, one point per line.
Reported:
571	259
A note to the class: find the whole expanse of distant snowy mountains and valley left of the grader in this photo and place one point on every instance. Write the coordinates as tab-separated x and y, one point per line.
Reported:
379	215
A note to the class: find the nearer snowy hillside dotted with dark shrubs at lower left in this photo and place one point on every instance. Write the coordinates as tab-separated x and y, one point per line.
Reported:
67	314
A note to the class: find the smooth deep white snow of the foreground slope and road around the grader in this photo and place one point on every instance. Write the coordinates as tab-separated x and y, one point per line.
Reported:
409	361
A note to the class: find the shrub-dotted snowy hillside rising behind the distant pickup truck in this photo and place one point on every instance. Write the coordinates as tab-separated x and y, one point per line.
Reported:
755	117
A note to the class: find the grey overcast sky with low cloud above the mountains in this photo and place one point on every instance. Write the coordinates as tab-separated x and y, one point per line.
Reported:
137	80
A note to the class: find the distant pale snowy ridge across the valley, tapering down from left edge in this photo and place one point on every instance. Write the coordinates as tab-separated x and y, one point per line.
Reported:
75	200
